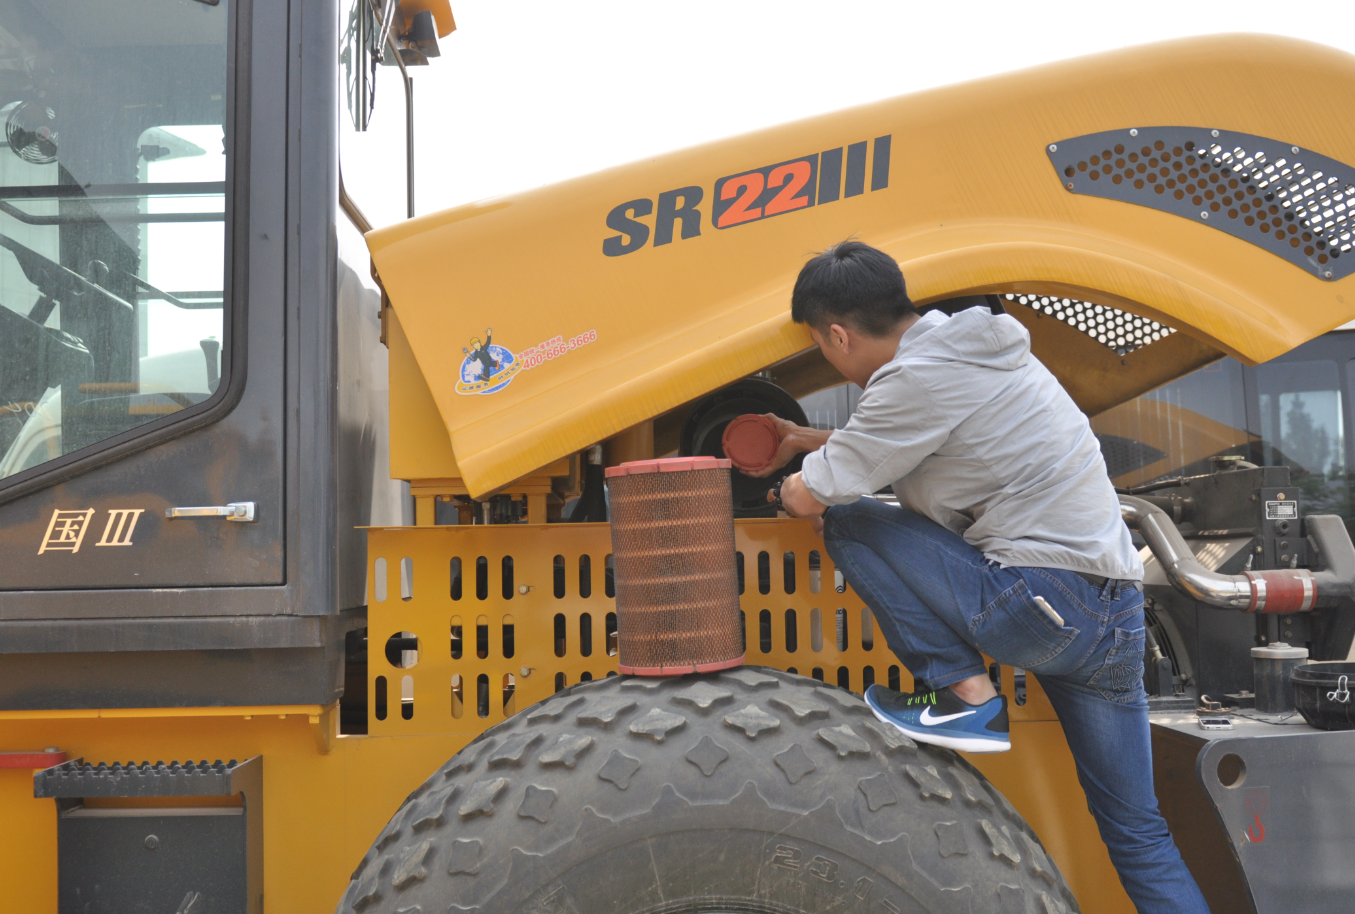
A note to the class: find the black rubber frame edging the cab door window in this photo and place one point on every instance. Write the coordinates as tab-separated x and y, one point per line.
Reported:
235	292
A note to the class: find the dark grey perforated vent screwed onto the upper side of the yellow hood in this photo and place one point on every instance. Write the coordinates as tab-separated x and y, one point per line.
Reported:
1293	202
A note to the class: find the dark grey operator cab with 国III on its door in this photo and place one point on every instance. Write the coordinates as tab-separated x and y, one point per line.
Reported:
193	400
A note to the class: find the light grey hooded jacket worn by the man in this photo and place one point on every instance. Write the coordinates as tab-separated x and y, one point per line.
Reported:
976	434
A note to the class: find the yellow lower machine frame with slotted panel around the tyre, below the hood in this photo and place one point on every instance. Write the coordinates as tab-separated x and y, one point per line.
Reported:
327	796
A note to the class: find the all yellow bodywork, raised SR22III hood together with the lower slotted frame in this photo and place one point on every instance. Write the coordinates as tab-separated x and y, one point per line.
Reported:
974	208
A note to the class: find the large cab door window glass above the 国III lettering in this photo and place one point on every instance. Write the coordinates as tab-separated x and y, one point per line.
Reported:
113	169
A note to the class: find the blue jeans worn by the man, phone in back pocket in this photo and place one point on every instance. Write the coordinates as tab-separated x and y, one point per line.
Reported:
940	603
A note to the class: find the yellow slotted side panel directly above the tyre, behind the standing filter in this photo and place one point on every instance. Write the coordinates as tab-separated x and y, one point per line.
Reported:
506	615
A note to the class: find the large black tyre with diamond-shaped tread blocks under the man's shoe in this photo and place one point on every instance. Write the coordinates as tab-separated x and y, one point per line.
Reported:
749	791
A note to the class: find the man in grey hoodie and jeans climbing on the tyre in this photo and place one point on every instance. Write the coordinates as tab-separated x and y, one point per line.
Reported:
1009	541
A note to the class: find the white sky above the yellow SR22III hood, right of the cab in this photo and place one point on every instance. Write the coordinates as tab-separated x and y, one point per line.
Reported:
532	93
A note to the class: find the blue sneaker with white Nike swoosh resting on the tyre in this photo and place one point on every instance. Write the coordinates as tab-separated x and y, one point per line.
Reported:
942	718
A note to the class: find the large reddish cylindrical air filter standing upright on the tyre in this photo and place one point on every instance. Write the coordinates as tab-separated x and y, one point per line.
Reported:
673	545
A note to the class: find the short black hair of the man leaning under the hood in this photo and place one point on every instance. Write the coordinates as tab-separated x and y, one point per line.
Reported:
852	284
